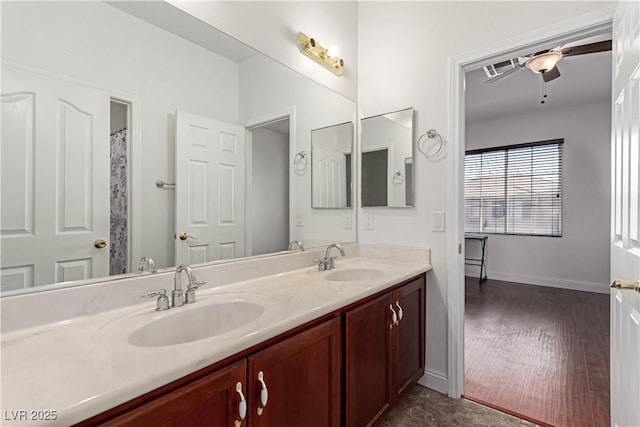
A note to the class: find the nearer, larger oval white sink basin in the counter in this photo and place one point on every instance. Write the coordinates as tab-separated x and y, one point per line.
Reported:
188	324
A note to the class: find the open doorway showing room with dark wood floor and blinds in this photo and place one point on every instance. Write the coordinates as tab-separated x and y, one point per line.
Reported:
526	332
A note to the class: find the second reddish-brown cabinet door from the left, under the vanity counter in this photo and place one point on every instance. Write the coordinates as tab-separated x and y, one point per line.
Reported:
302	375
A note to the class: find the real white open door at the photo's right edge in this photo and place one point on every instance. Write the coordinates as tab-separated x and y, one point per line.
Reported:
625	245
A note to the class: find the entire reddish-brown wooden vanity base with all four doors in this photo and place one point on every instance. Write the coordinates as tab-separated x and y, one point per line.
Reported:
345	370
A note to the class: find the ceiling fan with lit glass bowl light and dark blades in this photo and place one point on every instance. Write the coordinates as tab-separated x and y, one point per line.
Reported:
544	62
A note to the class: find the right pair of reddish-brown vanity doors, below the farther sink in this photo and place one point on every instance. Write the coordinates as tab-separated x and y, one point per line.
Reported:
382	357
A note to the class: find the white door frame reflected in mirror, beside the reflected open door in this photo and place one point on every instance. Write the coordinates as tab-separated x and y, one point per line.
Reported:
289	114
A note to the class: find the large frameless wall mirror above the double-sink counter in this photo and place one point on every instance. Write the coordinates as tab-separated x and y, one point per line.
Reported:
87	83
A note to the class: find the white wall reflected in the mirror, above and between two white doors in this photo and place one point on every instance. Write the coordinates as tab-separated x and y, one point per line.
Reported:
97	44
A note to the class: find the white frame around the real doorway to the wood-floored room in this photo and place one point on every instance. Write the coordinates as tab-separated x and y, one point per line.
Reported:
559	33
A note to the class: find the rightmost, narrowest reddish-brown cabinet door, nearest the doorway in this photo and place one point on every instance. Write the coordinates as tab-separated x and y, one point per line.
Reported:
408	335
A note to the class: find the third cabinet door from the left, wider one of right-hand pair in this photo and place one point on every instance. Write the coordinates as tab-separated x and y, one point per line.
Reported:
368	352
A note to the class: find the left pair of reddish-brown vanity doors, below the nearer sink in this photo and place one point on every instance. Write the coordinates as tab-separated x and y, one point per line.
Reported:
302	375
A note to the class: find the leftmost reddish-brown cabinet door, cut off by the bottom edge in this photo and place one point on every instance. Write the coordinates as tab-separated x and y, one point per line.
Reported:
211	401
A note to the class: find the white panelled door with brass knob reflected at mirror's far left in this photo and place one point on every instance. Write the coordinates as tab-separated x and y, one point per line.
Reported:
55	180
